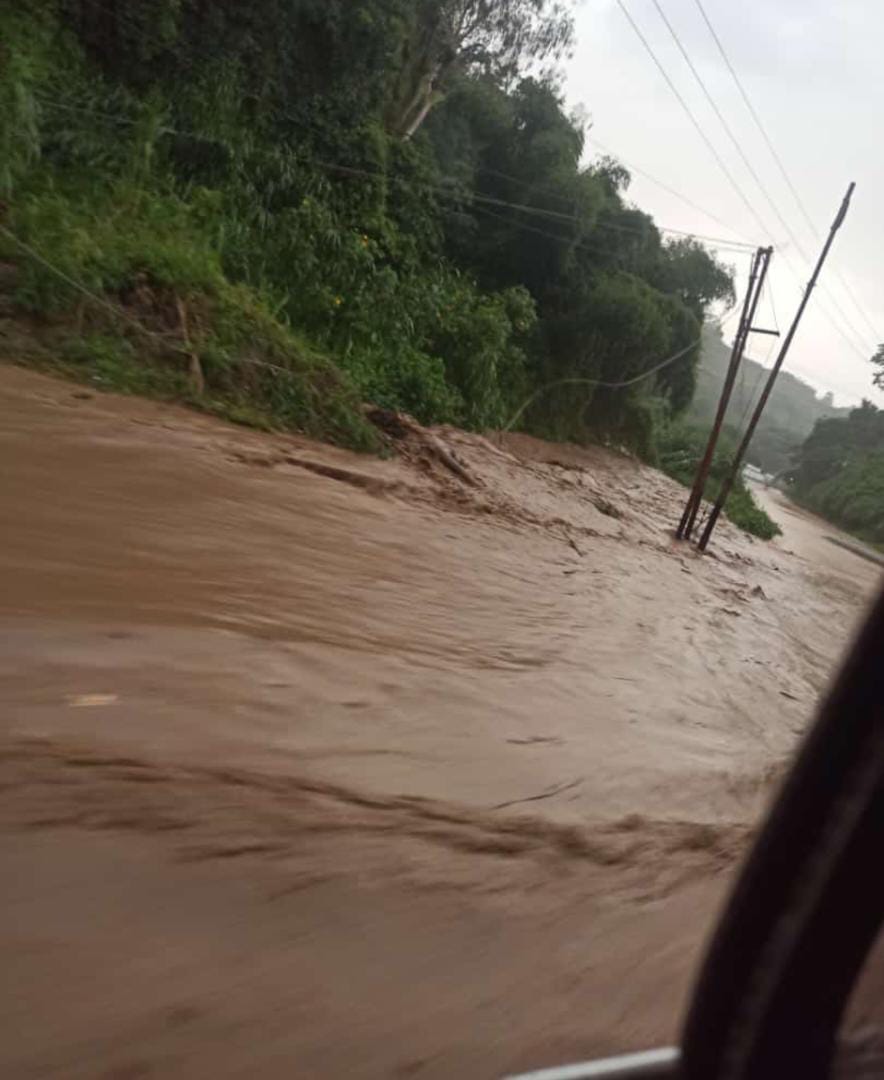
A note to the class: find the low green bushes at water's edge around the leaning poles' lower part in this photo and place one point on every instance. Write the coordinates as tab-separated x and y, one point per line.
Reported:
683	448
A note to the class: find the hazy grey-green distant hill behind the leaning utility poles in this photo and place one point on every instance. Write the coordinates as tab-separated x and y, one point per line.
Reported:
788	420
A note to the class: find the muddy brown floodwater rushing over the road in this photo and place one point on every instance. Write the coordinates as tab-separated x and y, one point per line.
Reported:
317	765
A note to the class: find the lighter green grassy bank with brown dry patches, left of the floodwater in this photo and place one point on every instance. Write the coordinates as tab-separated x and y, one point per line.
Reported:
169	309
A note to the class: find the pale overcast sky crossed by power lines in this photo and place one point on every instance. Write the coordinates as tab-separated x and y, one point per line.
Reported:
813	70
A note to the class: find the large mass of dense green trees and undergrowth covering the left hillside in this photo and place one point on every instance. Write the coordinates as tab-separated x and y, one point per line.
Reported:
281	212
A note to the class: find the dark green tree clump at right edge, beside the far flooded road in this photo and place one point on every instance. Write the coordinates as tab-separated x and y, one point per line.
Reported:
839	472
